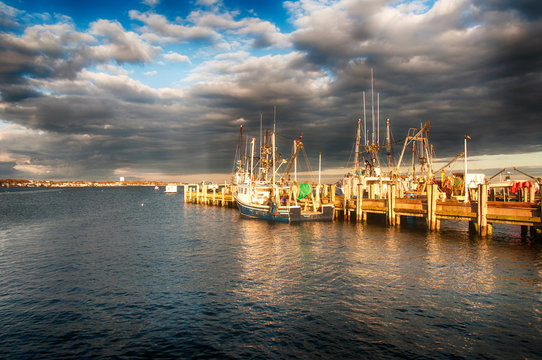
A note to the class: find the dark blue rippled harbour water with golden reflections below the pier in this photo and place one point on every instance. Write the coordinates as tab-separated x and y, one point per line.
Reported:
135	273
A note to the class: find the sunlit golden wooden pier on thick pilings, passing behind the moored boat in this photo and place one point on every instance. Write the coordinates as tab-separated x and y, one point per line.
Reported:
394	205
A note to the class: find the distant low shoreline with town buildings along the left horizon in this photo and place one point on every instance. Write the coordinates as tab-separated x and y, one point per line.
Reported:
5	183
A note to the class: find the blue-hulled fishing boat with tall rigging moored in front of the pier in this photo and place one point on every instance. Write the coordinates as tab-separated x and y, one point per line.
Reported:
264	195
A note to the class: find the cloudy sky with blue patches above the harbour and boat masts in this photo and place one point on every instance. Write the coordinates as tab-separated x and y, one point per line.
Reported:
157	89
